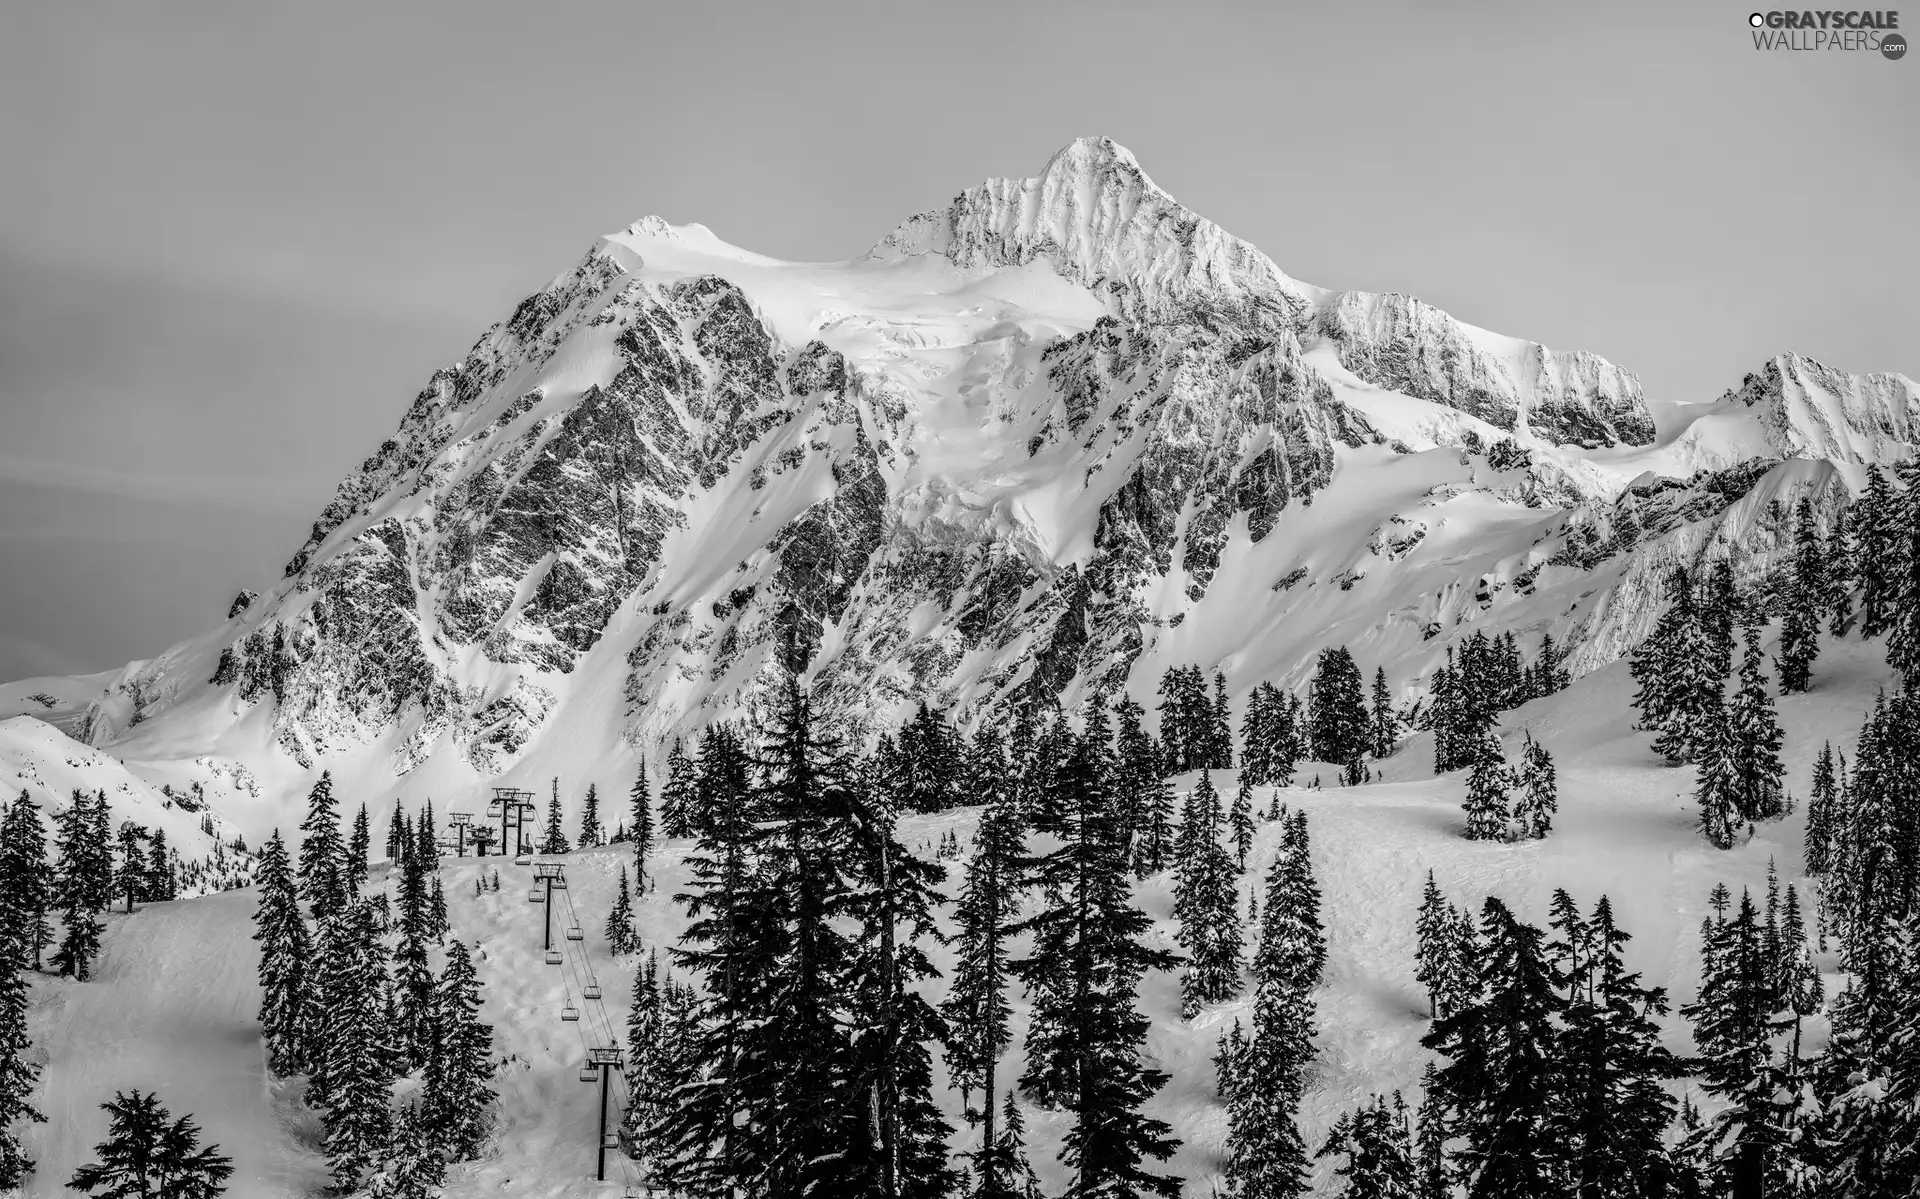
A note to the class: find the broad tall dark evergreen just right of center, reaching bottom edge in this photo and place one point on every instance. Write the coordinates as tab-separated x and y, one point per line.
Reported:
1086	964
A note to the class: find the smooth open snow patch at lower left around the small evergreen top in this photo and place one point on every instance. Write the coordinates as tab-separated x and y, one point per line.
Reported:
172	1010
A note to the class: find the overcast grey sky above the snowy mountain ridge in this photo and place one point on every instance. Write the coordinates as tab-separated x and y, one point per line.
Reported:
235	239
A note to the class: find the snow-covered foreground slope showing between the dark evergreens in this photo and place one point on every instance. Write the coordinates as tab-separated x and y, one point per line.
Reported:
174	1002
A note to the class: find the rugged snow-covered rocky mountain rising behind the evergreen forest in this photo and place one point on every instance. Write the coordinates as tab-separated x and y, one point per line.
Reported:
1045	441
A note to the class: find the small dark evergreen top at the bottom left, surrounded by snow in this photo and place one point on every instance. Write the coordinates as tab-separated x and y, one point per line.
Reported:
153	1154
